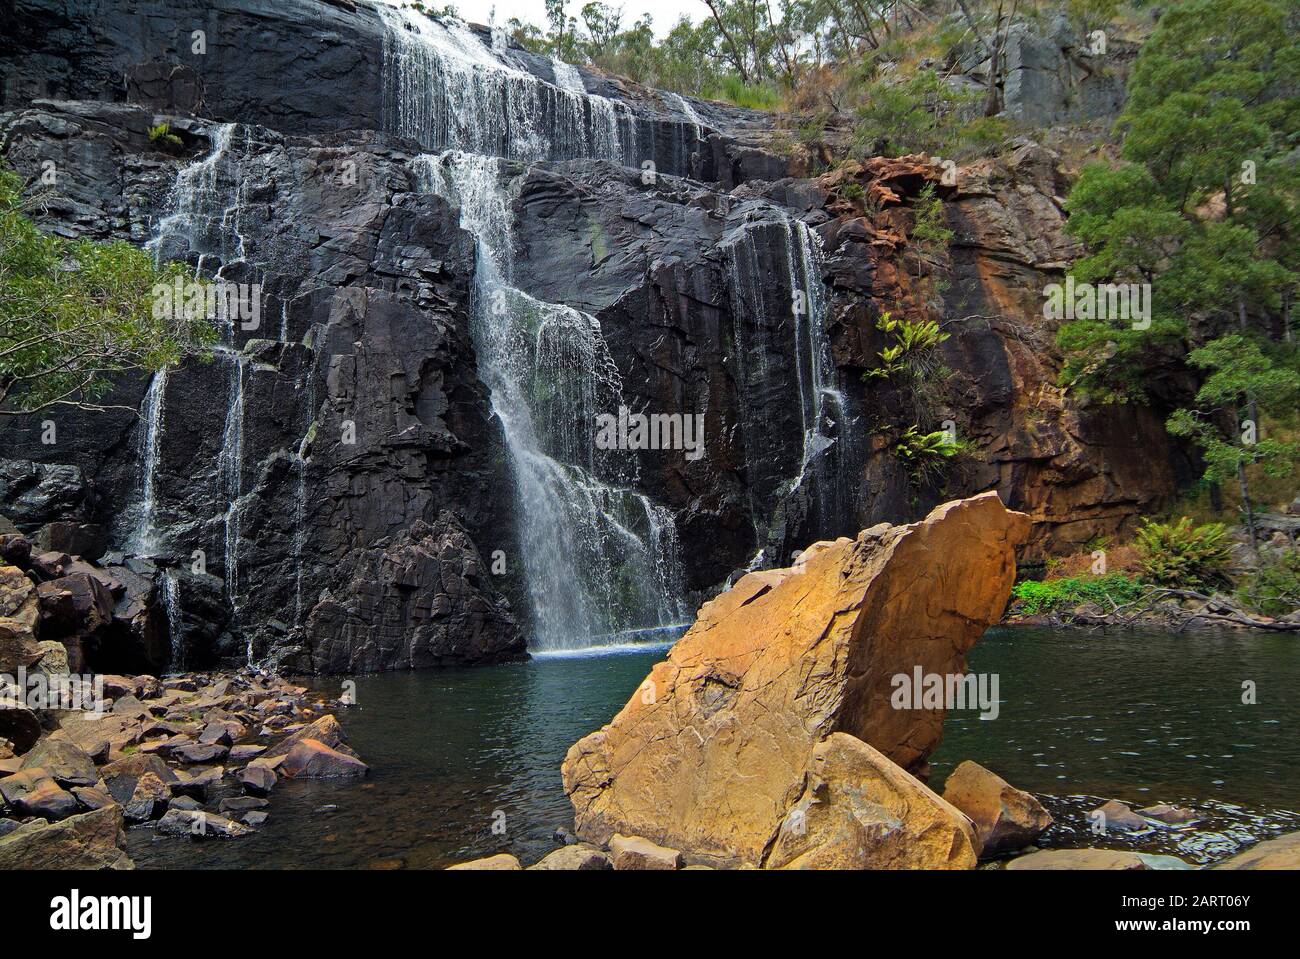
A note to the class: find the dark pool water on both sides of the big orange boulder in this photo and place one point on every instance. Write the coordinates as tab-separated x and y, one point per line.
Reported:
1138	717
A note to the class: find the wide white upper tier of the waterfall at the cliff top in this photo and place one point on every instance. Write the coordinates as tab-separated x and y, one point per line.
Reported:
444	88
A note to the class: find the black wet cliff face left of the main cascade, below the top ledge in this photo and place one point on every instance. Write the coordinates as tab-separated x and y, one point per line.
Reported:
350	414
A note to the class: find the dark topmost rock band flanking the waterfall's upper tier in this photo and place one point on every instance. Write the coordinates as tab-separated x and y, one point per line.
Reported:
301	67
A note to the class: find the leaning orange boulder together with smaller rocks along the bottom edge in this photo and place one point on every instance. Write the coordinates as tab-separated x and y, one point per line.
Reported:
775	736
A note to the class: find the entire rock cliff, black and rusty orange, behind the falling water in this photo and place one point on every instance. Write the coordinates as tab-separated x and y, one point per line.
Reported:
328	489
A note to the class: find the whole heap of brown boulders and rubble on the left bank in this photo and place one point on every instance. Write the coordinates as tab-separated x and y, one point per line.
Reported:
86	754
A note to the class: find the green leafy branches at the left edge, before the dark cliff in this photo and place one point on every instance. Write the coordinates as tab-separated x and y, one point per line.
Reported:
73	314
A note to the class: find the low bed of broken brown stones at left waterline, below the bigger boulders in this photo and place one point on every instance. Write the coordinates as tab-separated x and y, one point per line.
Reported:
194	757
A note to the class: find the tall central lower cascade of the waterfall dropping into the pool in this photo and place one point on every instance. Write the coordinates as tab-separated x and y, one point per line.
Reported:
600	558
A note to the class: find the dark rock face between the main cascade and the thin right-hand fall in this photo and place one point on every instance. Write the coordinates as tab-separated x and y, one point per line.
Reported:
696	296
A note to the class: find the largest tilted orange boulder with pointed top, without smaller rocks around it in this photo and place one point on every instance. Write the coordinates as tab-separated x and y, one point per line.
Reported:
714	749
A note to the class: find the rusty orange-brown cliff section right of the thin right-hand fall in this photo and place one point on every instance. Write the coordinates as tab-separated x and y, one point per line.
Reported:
1078	471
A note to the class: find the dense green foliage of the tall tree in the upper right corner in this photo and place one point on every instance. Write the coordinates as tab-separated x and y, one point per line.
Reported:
1204	206
